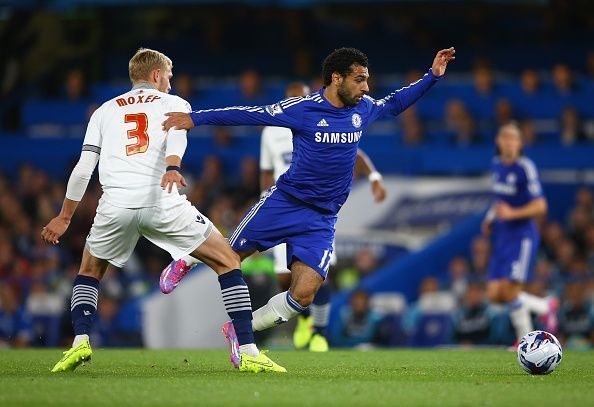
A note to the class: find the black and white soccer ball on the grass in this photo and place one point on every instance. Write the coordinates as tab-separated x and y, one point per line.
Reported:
539	352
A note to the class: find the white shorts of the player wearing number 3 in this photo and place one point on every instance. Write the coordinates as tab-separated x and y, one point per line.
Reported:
176	226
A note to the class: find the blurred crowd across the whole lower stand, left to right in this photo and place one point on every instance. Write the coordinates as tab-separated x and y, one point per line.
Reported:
35	279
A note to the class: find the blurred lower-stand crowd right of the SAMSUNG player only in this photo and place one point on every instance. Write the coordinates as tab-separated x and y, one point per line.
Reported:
455	310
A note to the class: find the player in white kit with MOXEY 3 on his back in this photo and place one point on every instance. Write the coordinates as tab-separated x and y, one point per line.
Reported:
139	170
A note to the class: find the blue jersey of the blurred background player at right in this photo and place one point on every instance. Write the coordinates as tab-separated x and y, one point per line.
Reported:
516	184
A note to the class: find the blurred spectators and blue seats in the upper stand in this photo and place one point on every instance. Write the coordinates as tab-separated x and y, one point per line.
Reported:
553	107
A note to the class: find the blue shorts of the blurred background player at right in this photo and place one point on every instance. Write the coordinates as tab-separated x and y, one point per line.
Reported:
513	257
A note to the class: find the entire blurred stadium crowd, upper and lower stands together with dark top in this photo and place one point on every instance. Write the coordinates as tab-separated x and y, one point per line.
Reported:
59	66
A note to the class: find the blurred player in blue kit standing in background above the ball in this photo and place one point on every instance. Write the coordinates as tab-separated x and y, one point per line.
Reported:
518	201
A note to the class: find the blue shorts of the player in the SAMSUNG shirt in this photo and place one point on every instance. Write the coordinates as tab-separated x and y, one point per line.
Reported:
281	218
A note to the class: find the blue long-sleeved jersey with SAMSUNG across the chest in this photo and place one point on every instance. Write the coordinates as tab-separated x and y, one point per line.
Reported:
325	138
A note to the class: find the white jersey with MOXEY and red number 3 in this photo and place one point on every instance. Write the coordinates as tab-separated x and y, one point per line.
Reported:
127	134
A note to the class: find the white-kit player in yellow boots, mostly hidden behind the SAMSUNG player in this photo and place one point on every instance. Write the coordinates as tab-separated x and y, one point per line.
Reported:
276	151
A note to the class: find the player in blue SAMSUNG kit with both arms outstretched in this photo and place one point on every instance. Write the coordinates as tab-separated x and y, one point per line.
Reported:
301	209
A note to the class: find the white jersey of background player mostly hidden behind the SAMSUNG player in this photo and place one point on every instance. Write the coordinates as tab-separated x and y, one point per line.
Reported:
276	150
